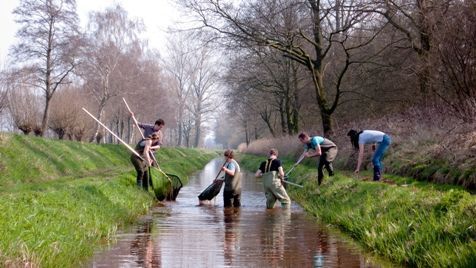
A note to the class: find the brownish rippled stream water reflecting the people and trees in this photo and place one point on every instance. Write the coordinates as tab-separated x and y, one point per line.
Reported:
184	234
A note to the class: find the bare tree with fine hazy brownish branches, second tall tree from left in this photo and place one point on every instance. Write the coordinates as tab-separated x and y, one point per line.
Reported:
110	36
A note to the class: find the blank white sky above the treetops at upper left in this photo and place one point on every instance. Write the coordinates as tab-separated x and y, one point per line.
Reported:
157	16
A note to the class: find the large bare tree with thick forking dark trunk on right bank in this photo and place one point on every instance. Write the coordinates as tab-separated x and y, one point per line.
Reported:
314	32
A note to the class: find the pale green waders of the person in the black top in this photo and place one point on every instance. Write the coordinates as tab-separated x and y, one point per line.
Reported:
274	190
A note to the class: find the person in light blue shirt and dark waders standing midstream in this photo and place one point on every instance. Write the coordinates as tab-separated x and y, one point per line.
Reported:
232	191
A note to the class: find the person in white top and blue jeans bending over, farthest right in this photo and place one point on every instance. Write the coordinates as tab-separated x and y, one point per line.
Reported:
374	137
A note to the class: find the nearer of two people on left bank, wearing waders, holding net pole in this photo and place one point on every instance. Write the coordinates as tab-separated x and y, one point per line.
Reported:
143	148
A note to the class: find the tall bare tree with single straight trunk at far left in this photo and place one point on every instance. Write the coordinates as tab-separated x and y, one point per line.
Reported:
49	37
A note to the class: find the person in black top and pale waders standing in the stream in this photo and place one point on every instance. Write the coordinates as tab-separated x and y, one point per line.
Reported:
273	175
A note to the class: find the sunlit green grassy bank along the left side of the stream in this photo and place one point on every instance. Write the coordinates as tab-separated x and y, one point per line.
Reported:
60	200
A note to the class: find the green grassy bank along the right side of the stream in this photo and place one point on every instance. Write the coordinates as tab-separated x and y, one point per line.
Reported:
422	224
